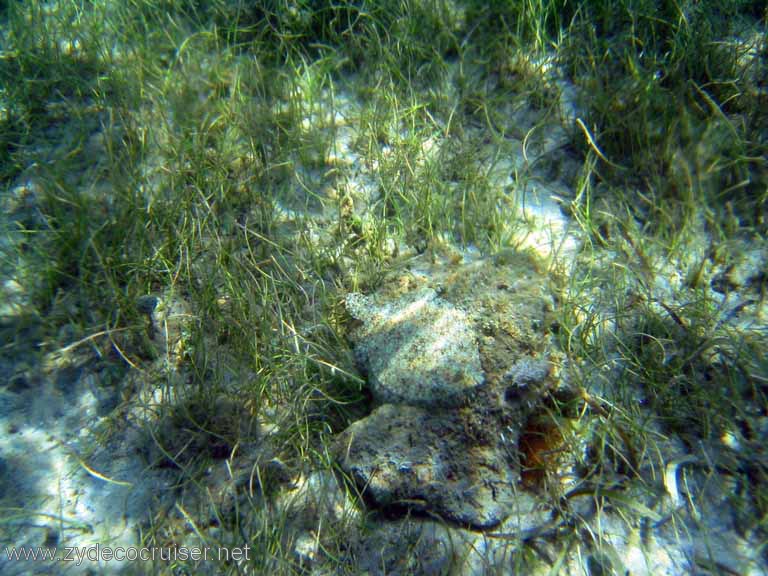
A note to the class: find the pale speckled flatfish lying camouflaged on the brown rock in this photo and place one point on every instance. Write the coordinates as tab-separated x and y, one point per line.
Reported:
418	350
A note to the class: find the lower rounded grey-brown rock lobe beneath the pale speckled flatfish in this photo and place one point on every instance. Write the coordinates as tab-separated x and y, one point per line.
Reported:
409	458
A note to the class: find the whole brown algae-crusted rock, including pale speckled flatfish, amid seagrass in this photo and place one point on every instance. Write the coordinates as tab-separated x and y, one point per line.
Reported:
457	357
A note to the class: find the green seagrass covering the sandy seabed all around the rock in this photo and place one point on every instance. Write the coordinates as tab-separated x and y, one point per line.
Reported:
191	189
